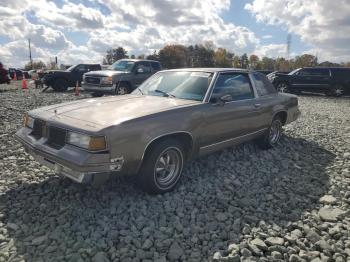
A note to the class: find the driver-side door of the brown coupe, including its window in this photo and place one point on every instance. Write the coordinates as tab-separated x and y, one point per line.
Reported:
231	122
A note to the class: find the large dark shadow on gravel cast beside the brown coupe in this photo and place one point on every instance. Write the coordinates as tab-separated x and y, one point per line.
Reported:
218	200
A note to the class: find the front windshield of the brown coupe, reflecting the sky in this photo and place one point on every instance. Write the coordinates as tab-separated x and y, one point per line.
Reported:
177	84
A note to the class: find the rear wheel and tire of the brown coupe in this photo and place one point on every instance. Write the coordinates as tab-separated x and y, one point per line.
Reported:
272	136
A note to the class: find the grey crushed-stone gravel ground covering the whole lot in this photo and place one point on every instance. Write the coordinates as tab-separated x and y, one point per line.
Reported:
290	203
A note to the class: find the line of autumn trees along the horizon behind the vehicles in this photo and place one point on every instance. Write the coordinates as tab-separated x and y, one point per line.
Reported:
206	55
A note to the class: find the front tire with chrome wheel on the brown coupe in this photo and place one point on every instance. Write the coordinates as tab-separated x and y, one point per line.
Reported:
162	167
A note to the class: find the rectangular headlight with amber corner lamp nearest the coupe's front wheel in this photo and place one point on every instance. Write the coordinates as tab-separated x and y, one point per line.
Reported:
93	143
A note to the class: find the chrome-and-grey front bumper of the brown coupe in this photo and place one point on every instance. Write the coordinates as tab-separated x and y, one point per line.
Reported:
72	162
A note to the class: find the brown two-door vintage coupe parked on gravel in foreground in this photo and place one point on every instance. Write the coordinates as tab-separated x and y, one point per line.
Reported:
174	116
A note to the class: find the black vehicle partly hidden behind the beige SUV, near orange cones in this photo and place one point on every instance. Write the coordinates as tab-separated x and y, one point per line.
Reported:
61	80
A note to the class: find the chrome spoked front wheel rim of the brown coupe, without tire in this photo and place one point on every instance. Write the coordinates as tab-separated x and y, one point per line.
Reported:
168	167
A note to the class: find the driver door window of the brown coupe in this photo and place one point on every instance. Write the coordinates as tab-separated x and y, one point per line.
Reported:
235	84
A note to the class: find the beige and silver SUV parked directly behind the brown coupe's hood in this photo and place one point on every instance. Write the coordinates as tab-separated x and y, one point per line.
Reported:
120	78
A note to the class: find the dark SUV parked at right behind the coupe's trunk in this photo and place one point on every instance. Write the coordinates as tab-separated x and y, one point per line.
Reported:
329	80
